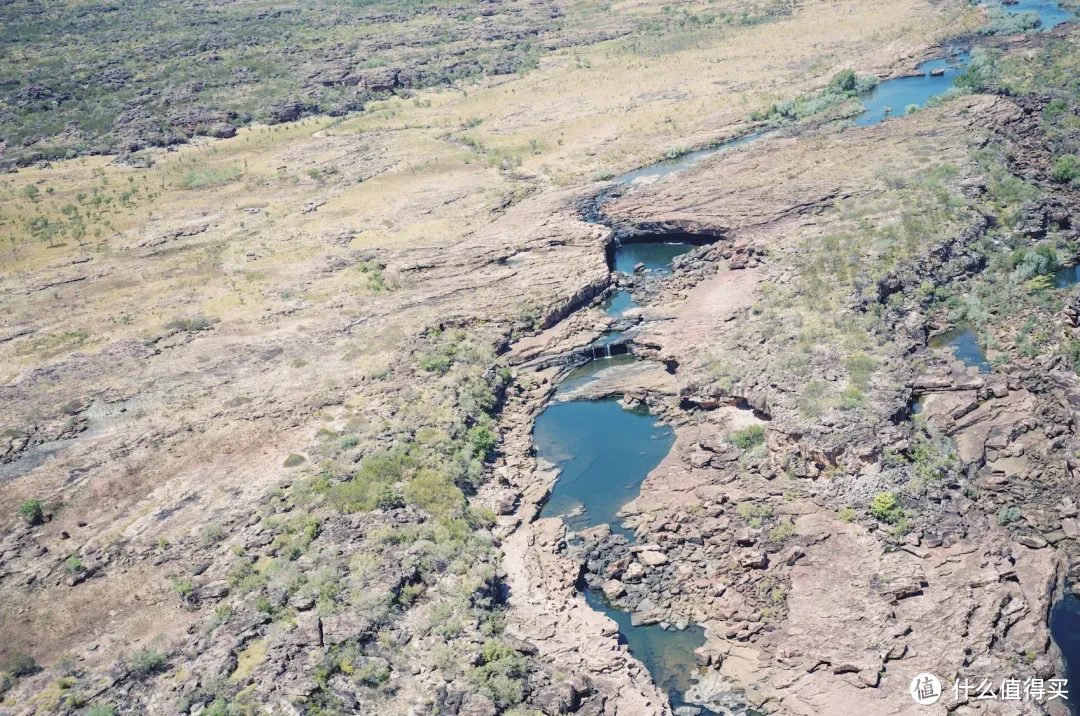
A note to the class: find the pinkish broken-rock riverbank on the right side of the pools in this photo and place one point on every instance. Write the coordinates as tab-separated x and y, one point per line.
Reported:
818	593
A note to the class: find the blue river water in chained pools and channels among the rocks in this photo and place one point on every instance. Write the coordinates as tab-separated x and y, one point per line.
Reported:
605	452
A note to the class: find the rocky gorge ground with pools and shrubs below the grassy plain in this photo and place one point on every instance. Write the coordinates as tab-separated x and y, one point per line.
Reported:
817	504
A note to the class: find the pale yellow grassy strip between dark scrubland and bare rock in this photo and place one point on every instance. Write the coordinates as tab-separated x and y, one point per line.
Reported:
427	171
